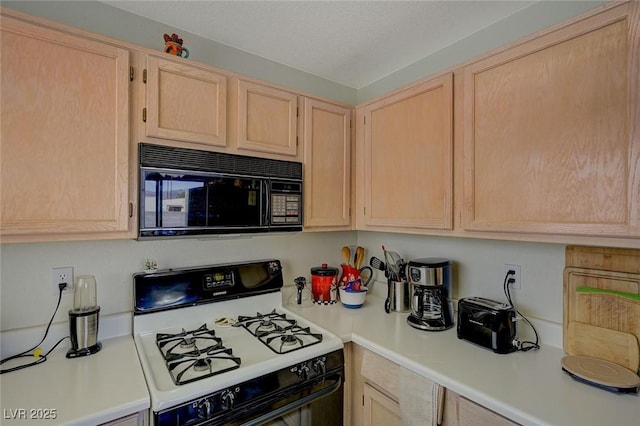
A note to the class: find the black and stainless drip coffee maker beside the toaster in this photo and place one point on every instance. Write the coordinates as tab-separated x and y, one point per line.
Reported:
430	286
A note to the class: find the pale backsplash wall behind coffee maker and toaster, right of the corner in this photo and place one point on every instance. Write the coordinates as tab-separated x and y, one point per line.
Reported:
478	270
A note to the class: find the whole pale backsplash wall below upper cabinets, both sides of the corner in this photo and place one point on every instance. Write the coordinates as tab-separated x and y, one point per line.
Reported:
28	297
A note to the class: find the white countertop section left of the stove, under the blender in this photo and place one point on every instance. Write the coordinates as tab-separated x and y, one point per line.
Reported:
88	390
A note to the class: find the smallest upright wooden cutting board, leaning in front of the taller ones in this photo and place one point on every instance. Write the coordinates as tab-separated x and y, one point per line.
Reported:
616	346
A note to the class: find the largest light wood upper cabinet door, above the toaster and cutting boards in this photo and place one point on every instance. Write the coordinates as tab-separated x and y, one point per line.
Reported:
552	134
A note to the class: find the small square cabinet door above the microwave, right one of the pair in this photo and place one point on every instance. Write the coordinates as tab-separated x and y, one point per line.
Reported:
266	119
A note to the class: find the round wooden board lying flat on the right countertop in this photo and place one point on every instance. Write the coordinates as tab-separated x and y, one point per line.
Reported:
601	373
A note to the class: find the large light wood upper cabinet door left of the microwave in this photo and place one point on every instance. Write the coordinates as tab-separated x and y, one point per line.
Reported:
65	132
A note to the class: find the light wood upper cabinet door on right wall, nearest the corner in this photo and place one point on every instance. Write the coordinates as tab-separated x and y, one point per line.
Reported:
408	157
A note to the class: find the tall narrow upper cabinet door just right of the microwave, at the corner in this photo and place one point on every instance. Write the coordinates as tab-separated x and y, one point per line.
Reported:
327	164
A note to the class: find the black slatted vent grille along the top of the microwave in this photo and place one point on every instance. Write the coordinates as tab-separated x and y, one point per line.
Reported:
216	162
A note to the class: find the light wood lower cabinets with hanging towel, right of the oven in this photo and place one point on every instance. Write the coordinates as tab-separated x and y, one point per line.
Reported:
375	385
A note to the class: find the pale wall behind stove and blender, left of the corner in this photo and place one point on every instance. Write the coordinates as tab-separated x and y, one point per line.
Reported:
28	297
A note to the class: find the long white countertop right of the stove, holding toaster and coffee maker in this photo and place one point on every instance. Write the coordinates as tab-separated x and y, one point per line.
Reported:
528	387
